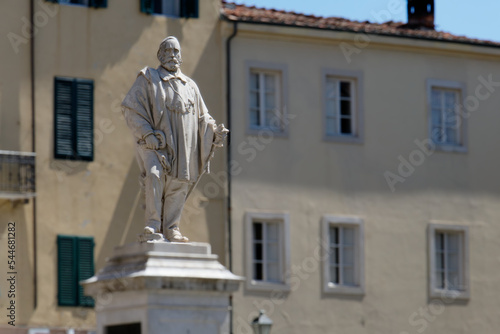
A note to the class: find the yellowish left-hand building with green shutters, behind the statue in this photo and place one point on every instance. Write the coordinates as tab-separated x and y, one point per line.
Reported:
82	58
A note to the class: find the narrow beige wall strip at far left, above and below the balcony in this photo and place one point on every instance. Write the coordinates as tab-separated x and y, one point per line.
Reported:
15	135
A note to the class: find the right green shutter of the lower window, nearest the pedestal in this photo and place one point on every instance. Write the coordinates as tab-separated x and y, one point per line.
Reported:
85	267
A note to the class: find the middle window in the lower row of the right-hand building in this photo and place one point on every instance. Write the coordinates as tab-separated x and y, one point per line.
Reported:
343	264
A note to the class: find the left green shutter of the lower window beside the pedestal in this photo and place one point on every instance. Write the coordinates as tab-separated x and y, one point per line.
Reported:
67	293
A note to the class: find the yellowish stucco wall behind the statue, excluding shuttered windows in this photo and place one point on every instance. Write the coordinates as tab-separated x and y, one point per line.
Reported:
99	198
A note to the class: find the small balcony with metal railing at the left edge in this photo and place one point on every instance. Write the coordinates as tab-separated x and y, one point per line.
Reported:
17	175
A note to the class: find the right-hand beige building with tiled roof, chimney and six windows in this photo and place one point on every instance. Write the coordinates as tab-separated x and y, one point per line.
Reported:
363	190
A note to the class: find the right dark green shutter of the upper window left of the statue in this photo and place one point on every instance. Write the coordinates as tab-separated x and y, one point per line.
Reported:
84	119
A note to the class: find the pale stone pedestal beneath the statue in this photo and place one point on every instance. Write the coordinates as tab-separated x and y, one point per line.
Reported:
161	287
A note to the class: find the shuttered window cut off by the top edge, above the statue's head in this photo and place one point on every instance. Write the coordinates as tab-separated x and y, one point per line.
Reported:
175	8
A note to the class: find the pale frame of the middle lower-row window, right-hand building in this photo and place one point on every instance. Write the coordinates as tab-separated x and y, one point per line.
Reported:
359	258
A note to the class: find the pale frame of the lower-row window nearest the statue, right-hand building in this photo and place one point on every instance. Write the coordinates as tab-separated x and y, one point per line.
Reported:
284	235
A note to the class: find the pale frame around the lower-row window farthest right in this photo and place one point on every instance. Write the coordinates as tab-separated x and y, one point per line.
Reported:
434	291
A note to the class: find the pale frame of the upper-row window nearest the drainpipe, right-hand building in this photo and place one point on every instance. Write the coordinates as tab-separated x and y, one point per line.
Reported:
280	70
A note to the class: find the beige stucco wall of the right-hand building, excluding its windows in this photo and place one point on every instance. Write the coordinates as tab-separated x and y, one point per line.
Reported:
308	177
